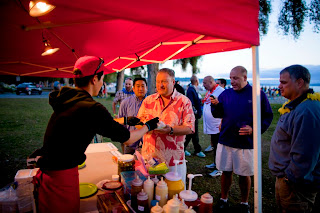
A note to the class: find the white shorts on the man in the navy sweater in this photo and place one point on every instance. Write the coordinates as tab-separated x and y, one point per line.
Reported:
229	159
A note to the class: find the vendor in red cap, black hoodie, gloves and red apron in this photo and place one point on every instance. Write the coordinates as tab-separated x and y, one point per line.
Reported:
73	124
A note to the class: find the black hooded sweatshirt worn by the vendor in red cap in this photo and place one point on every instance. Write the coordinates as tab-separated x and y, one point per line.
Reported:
73	124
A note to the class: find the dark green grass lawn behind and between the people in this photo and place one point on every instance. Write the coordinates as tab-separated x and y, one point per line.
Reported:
23	123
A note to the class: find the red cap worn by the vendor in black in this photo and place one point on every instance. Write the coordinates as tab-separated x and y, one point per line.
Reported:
88	65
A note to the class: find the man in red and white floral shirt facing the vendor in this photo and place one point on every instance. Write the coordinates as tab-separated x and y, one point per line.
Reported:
174	110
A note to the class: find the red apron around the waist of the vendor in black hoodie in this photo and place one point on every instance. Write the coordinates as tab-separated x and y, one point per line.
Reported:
57	191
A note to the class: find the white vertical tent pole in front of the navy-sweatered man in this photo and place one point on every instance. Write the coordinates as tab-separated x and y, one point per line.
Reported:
256	105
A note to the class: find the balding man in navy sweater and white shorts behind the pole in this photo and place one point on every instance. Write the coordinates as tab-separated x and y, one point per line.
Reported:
235	146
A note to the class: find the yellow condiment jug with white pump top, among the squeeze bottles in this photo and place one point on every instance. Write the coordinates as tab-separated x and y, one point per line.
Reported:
174	181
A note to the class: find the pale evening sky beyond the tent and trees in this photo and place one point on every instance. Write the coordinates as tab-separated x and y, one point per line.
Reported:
276	51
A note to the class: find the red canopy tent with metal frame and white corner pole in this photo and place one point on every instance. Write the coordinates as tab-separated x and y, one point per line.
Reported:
129	33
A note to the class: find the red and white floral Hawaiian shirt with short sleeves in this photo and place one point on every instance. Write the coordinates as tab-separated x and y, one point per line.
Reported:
177	112
